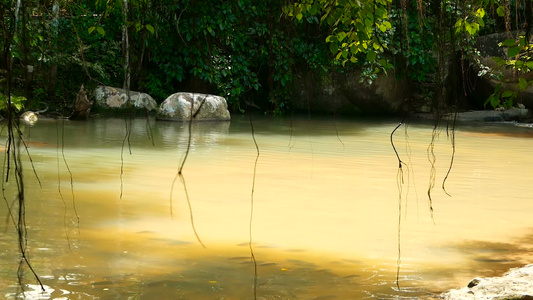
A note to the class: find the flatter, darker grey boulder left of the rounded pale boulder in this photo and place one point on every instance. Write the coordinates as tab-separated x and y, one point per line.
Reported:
114	98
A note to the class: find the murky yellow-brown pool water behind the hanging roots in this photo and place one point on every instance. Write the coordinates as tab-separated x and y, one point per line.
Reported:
325	210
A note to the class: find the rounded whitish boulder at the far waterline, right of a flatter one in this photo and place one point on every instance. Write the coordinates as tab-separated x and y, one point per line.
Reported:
204	107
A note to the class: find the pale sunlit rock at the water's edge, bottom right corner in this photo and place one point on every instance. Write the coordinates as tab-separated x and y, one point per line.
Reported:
515	284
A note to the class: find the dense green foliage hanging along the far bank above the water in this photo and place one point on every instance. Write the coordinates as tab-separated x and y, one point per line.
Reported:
250	49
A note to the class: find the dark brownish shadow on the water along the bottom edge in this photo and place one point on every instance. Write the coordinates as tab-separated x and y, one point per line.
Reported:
222	276
